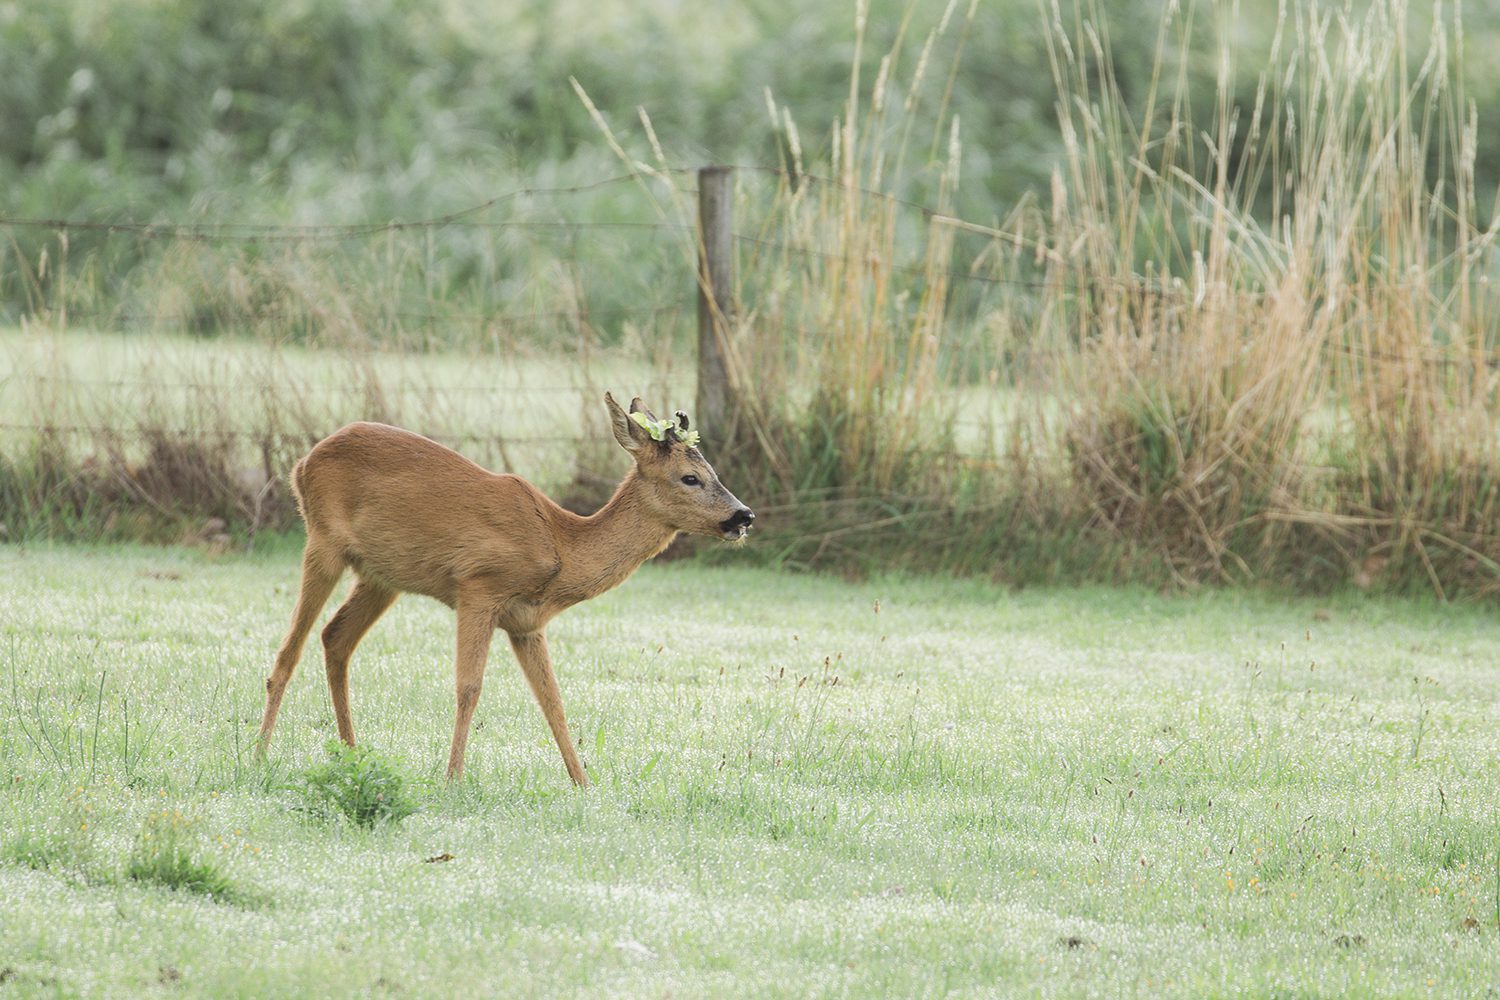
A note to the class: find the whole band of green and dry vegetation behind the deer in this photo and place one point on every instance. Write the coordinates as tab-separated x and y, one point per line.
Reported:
1157	293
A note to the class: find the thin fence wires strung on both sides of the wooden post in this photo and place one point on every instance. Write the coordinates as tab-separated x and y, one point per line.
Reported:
683	235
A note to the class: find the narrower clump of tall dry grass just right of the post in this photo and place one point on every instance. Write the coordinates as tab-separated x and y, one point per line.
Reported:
853	304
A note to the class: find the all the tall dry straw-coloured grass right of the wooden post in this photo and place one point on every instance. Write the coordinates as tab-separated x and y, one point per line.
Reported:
1240	340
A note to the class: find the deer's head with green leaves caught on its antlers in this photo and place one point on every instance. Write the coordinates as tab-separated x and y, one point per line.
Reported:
677	484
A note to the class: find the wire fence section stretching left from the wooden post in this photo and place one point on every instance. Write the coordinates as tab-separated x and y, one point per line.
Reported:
64	281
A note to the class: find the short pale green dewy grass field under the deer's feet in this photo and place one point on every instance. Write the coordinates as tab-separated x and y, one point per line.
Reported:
1070	792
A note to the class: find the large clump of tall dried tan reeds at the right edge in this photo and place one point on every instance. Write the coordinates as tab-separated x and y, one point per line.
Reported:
1268	334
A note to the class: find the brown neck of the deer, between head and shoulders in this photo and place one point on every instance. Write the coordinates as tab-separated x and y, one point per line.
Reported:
611	545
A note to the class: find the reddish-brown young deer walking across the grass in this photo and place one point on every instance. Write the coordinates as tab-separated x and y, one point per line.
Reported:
412	516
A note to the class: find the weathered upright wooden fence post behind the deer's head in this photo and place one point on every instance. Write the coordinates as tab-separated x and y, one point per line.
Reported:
716	289
